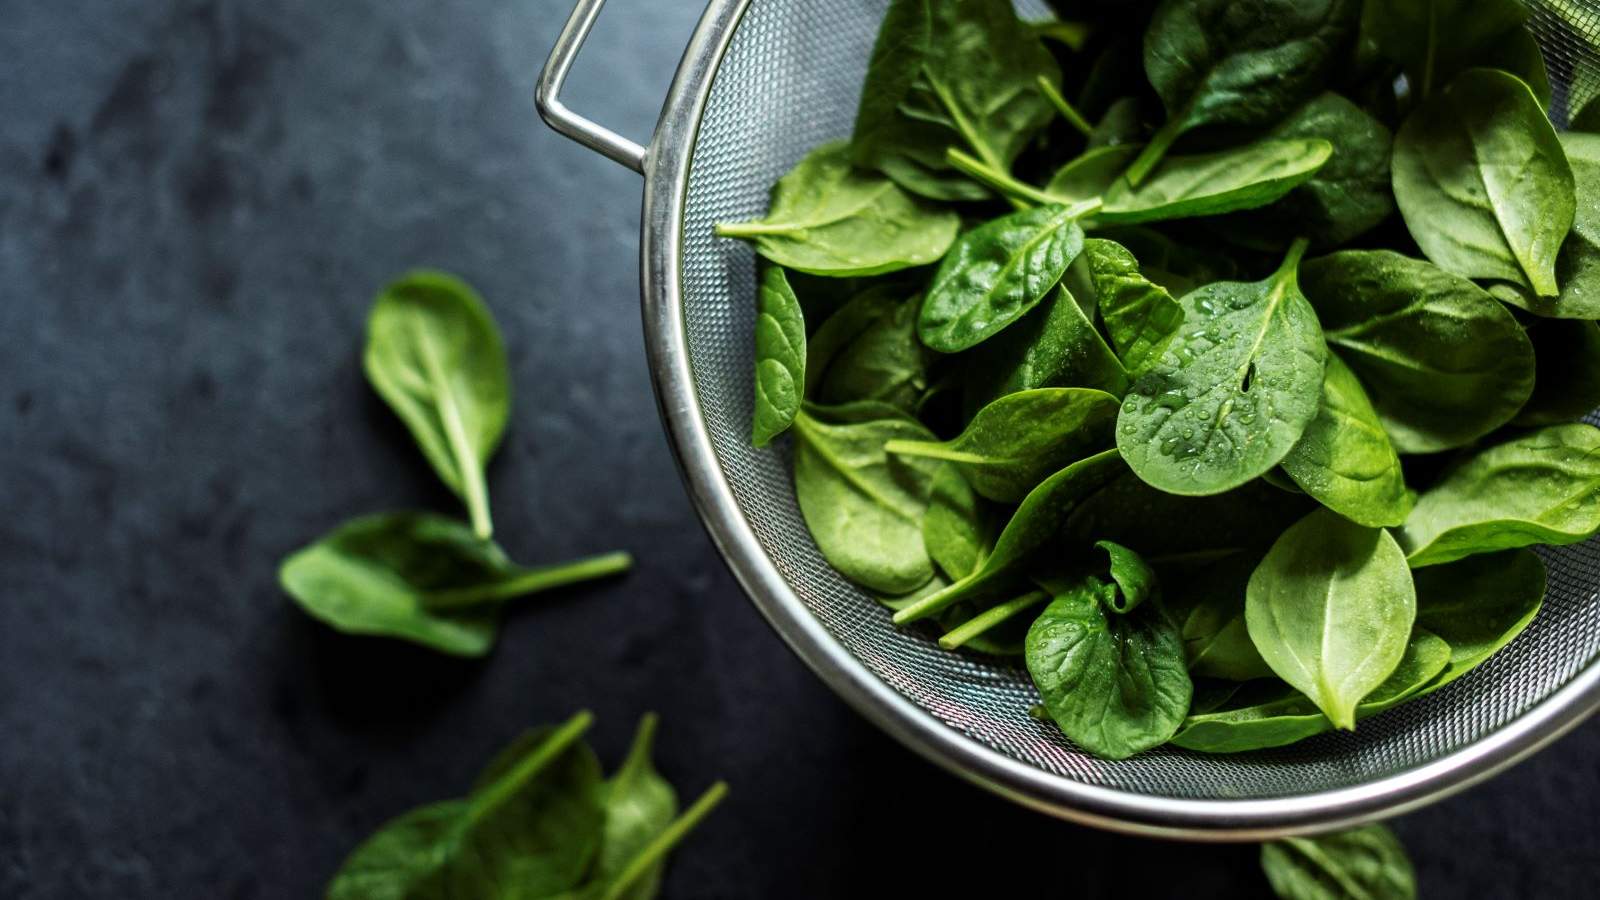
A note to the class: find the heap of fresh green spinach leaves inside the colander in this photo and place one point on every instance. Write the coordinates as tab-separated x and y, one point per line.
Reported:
1220	361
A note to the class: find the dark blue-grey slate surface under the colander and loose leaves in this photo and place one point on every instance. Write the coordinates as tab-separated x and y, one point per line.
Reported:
198	201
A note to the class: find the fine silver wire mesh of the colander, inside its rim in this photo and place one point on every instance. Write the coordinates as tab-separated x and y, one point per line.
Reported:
791	81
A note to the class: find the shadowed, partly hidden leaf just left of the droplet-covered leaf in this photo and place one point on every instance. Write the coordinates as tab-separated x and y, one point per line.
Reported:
1055	345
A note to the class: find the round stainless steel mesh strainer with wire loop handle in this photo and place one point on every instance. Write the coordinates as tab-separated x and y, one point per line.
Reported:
761	84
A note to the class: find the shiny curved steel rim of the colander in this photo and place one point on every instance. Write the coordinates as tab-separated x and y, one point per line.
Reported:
662	241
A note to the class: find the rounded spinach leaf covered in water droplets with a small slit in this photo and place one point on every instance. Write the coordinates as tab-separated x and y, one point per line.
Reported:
1236	390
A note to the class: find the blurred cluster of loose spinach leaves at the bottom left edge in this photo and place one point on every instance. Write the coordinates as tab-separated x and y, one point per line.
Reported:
540	824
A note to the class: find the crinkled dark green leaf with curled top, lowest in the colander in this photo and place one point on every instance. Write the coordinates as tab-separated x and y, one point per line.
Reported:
1116	685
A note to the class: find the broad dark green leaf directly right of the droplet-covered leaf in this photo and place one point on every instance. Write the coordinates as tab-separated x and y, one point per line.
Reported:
1442	361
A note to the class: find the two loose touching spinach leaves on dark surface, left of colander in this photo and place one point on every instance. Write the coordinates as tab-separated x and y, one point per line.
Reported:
436	356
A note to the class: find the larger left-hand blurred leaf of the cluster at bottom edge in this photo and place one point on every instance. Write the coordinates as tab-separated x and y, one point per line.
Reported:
534	832
